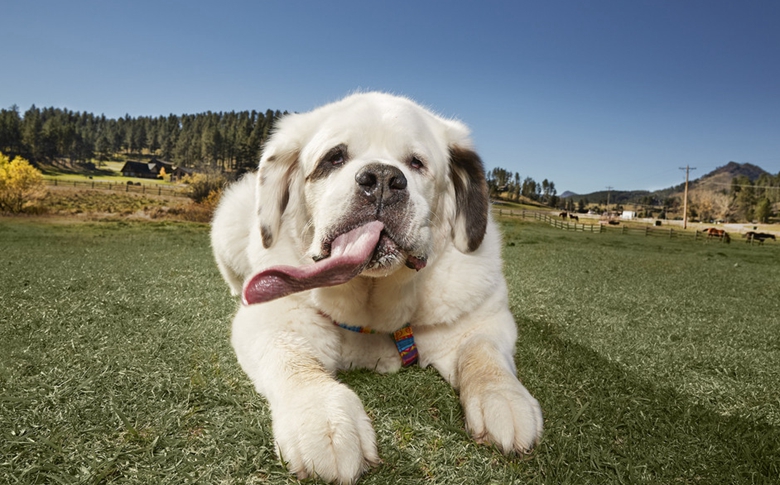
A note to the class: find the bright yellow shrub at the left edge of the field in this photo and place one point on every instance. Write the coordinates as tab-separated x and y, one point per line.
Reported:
20	184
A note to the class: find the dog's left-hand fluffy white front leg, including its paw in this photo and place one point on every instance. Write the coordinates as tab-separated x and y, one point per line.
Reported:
320	426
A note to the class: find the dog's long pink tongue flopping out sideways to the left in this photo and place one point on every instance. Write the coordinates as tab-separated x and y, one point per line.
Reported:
349	253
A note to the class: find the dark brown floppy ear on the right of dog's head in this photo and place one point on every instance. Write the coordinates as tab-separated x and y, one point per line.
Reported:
471	198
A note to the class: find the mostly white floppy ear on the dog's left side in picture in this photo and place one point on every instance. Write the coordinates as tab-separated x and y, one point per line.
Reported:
276	182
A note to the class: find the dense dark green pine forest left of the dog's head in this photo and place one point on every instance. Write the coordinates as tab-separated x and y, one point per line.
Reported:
223	141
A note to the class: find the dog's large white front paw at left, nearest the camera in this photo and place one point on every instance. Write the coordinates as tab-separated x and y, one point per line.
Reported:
327	434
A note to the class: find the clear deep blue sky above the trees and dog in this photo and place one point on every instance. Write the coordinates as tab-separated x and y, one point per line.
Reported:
587	94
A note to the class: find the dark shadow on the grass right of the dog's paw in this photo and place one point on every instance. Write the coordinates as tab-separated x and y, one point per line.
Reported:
603	424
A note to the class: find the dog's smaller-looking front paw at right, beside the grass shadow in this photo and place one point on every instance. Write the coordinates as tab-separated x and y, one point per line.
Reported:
501	411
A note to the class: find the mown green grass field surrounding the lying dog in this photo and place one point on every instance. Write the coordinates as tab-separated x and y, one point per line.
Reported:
655	361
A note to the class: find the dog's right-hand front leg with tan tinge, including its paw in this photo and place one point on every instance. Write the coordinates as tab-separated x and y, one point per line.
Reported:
476	356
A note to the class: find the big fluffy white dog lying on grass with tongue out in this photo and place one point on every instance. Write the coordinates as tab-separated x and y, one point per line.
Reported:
368	232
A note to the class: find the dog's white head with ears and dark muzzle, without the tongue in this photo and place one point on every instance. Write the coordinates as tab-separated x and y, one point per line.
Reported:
373	157
